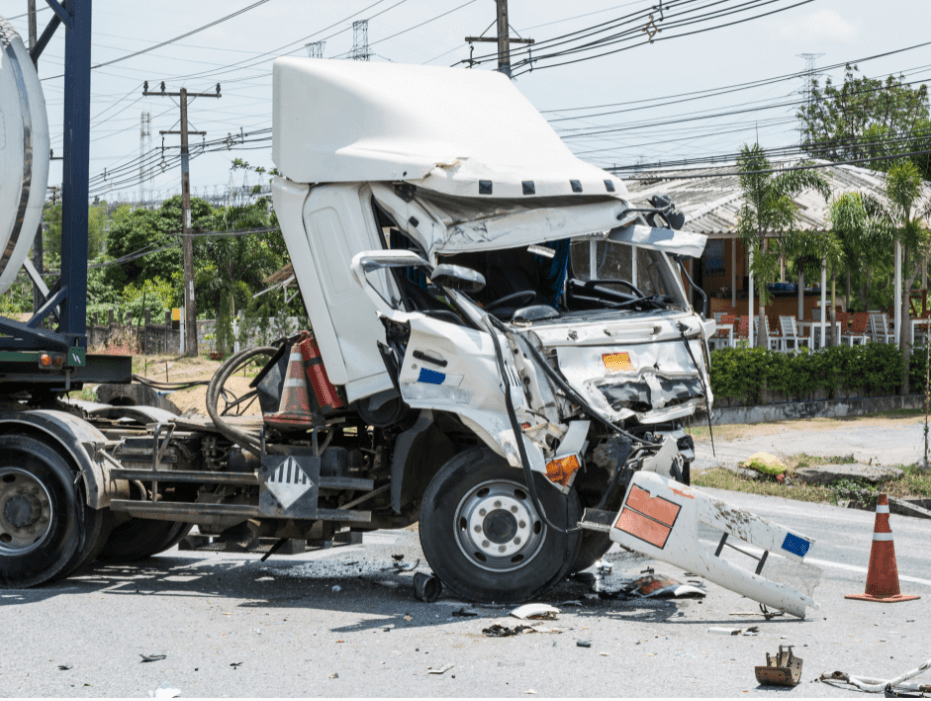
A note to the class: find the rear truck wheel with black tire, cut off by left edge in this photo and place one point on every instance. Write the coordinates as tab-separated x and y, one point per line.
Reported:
42	516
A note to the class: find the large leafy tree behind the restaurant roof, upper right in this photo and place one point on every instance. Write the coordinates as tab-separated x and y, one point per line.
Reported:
867	118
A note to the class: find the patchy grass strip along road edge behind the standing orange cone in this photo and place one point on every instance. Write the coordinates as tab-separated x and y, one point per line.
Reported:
915	483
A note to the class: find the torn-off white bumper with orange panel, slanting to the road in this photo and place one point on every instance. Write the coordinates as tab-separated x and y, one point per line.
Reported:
663	518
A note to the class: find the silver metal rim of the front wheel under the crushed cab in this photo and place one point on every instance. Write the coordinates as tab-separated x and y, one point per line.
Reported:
498	529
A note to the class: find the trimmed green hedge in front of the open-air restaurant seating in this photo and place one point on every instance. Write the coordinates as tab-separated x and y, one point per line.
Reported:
742	375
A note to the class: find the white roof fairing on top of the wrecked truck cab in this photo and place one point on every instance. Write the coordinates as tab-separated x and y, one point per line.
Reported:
457	132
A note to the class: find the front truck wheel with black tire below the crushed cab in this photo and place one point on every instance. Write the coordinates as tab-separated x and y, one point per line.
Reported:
536	561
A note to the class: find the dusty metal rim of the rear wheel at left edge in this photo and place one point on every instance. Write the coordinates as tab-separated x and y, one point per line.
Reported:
25	511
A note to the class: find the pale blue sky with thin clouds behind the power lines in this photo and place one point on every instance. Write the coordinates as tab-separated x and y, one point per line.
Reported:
238	54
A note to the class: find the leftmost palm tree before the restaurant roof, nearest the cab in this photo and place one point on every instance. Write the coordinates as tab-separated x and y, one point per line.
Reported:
768	210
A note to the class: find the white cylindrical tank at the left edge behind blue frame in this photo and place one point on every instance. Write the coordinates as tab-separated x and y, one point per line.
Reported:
24	153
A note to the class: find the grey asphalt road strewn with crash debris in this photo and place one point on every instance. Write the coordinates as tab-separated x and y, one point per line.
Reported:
342	622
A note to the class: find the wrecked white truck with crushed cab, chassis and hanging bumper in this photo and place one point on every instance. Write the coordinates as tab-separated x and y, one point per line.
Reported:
502	349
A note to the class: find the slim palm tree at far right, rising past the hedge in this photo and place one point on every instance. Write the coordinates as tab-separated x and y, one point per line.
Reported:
903	188
